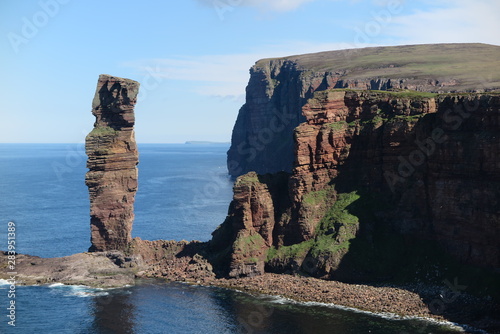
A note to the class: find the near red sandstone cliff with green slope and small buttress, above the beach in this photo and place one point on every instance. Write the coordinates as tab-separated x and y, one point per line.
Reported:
372	171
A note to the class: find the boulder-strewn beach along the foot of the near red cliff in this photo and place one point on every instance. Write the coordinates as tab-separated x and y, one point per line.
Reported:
441	303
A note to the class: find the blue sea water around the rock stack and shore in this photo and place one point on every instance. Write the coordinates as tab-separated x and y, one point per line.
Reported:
184	193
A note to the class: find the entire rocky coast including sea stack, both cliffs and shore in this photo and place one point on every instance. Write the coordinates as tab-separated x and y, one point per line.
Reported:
386	201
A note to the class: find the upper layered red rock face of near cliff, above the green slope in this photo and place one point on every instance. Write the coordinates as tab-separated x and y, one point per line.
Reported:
434	159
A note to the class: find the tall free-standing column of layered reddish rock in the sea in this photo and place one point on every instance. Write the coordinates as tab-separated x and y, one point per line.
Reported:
112	162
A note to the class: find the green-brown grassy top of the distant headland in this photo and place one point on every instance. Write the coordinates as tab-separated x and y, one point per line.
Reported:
474	66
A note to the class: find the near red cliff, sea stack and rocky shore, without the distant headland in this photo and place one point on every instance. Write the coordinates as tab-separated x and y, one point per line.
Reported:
323	224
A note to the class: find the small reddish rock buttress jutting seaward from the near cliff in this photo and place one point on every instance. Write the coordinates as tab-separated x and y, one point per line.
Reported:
248	231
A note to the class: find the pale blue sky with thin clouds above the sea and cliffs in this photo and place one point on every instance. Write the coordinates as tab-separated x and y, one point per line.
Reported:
192	57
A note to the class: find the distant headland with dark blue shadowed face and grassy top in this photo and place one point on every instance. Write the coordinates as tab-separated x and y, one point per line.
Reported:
279	88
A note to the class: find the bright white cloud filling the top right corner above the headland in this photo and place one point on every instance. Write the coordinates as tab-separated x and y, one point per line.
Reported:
458	21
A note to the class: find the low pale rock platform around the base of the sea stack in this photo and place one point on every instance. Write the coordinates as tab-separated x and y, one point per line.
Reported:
172	260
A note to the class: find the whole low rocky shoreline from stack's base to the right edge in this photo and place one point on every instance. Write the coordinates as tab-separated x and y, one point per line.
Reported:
182	262
